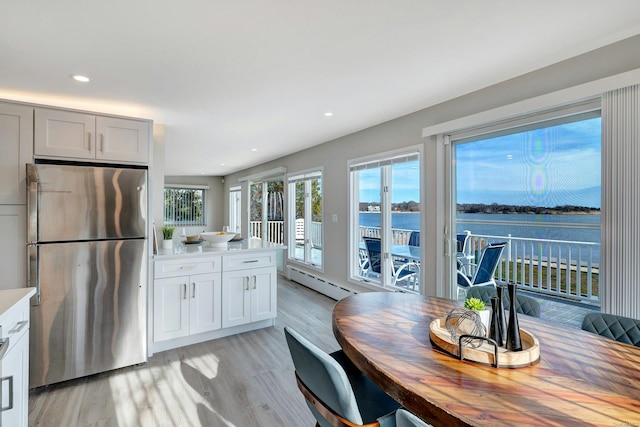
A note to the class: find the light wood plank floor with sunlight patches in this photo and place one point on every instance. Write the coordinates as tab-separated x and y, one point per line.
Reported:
244	380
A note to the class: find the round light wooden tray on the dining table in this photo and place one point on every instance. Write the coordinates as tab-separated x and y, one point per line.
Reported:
486	353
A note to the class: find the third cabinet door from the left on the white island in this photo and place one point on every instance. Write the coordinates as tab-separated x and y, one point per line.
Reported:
236	301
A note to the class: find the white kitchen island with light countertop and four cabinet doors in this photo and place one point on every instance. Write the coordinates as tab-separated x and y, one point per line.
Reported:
202	293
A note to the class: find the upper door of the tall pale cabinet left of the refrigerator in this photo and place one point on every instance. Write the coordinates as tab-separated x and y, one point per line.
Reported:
16	140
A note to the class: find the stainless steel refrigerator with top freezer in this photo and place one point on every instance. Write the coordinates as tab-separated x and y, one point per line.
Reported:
87	255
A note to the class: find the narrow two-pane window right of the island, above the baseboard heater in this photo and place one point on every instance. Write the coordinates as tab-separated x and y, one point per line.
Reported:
305	218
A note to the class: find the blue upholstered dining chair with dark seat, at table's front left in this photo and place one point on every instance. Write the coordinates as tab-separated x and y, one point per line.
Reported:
336	392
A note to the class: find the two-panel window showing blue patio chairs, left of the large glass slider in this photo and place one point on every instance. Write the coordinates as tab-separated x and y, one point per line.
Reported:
385	220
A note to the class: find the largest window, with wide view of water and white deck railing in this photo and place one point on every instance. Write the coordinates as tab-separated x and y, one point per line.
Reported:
536	186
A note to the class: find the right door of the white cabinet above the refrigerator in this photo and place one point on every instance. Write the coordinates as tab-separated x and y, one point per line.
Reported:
122	140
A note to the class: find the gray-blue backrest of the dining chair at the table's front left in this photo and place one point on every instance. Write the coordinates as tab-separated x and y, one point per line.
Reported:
323	376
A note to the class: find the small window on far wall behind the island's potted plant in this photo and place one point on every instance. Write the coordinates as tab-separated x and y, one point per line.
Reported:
184	205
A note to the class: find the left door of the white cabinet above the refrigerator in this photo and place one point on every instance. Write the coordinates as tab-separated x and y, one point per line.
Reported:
64	134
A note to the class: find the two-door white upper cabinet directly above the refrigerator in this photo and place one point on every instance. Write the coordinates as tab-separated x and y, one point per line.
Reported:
72	135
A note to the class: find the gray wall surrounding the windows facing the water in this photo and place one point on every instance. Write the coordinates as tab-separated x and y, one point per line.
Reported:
406	131
